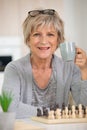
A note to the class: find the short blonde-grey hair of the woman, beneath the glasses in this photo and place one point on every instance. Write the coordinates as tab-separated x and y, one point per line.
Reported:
31	23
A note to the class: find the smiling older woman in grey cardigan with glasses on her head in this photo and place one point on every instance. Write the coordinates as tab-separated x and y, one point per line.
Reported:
40	78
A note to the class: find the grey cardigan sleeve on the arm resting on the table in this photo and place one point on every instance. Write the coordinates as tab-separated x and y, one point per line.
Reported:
12	83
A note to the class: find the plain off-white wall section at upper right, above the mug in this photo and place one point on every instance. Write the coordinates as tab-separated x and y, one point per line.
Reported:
75	17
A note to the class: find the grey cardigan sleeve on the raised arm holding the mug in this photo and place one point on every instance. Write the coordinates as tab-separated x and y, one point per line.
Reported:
79	87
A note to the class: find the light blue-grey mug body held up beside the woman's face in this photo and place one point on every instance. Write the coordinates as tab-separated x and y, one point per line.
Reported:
68	51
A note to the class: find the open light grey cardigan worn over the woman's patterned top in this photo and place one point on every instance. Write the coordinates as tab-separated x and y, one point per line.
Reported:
18	79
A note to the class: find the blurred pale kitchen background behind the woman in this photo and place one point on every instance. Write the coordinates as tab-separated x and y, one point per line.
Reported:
13	13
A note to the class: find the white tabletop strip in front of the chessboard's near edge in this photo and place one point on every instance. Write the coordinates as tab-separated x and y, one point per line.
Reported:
72	126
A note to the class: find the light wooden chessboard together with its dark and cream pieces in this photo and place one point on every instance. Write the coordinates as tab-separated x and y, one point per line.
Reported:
70	114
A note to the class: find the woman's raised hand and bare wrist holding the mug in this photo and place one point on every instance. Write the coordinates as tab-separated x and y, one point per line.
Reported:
81	62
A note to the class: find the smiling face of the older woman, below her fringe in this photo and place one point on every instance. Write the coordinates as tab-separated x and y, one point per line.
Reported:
43	42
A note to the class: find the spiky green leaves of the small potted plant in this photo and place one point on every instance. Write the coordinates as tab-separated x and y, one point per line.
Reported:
5	100
